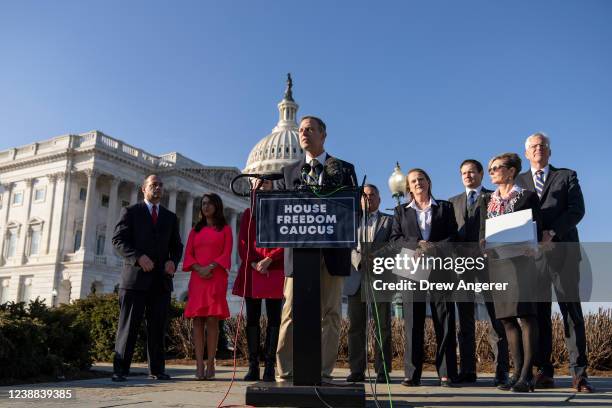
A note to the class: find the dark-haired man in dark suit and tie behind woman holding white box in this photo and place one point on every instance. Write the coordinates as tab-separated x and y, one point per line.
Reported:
468	217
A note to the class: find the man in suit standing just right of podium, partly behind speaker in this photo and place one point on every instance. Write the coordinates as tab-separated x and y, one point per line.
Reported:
373	231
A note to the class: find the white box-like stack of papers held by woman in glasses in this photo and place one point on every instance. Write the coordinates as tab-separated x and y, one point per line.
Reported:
511	234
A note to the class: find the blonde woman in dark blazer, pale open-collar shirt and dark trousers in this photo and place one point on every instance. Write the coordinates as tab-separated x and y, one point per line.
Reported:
418	225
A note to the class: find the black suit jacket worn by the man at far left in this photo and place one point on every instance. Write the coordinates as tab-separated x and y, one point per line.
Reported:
135	235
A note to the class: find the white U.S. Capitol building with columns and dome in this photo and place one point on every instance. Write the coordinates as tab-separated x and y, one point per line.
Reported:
60	200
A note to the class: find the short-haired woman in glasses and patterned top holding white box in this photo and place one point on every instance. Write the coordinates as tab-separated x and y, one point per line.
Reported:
519	271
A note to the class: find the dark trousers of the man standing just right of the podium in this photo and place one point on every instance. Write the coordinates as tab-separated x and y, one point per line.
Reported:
357	334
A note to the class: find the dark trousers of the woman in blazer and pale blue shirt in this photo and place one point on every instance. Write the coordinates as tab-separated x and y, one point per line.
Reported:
443	316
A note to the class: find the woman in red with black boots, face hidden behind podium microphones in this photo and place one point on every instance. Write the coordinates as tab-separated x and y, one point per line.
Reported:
261	276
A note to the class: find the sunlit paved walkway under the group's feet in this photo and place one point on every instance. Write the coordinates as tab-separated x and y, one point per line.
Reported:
184	391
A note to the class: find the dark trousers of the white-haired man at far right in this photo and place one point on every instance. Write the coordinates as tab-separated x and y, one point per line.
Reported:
565	282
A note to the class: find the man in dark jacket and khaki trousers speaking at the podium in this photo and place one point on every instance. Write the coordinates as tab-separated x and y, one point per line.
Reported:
316	168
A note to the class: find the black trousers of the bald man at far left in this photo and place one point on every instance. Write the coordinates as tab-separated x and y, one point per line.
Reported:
133	305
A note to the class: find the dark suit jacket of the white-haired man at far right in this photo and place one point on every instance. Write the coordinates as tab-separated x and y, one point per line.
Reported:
562	203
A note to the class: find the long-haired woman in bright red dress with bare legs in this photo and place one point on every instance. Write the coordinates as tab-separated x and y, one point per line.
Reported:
208	258
